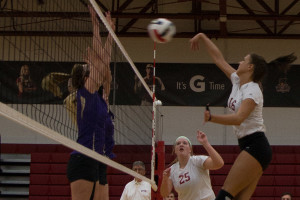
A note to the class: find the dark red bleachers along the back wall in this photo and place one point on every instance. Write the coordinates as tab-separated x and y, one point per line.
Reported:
49	163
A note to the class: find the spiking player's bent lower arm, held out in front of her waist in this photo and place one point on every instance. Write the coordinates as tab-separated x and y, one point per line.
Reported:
247	106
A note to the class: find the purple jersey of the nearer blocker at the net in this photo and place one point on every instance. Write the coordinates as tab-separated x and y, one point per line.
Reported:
91	117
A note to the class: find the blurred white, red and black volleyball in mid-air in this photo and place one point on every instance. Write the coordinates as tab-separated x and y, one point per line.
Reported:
161	30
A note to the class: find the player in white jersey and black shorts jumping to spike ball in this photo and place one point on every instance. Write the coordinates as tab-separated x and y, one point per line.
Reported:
245	105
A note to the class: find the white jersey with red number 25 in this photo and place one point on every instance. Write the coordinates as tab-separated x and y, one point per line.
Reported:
192	182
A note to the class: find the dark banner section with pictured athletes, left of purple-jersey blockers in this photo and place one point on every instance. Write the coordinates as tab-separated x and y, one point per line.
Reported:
25	82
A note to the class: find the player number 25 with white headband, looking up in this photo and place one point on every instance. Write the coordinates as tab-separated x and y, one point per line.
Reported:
190	174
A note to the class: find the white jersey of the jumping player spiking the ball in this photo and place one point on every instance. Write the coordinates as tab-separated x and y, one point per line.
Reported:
254	122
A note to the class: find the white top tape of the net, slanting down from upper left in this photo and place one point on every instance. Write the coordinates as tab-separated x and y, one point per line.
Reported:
102	17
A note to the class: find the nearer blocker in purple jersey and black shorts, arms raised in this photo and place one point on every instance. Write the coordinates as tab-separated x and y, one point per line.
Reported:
92	112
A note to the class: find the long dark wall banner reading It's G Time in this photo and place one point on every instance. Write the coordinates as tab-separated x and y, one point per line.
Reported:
176	84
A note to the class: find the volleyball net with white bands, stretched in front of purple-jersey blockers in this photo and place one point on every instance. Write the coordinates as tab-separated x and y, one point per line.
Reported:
40	43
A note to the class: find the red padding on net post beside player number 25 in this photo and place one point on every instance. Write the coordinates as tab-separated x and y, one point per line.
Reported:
161	160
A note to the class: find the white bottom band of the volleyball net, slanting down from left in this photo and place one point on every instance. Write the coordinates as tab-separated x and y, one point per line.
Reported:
15	116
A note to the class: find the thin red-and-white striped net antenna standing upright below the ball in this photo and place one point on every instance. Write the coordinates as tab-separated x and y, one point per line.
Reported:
153	117
